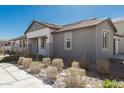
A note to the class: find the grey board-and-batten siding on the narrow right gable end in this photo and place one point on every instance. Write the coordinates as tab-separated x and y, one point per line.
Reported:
100	29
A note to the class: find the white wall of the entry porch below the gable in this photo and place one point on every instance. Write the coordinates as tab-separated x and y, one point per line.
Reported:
37	35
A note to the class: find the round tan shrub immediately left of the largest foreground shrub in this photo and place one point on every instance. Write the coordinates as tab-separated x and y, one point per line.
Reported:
52	73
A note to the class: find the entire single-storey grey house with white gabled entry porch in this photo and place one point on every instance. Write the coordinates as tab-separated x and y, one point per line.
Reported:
92	38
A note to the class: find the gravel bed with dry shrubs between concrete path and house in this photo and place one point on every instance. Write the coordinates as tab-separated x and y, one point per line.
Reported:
77	75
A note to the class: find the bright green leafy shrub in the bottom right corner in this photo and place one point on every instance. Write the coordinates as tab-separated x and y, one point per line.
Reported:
110	84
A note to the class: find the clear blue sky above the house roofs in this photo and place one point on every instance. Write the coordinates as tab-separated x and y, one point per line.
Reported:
14	20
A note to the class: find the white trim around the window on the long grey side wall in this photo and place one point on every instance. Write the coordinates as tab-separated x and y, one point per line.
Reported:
66	39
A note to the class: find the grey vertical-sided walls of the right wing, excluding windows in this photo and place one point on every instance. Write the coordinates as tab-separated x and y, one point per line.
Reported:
86	42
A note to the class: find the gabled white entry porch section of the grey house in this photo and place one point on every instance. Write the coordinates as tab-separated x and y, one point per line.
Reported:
40	38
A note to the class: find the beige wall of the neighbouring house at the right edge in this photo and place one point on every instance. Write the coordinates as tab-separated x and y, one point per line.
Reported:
120	28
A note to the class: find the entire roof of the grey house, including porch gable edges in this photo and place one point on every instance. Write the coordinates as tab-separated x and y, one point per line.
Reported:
80	24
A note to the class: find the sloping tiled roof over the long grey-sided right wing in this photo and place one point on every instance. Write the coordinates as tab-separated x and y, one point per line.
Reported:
86	23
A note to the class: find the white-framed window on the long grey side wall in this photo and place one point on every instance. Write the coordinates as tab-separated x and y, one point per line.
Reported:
67	40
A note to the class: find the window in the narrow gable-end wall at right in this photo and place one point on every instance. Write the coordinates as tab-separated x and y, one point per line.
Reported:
106	40
